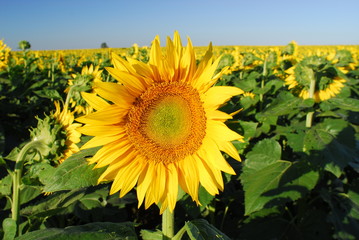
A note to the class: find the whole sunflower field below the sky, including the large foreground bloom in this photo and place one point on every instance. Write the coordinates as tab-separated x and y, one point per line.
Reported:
180	142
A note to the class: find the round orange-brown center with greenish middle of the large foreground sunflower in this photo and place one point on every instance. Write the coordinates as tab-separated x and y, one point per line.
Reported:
167	122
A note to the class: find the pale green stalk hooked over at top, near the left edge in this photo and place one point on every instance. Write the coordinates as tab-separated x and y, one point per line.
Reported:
16	179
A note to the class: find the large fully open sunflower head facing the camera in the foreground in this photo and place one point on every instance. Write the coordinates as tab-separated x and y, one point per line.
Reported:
161	127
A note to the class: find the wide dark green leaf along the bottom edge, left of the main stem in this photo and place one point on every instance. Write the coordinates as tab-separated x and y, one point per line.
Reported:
91	231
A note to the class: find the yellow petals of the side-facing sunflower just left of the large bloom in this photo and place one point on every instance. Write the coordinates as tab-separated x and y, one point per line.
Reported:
66	119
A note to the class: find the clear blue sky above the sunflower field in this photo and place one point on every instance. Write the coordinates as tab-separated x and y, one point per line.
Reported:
71	24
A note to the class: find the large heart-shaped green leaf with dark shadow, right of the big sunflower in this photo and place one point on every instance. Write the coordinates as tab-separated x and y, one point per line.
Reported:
268	181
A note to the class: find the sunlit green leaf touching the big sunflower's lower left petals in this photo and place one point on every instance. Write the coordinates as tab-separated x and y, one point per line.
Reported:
74	172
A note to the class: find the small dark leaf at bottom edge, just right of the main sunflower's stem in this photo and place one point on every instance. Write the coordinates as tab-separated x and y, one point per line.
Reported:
200	229
